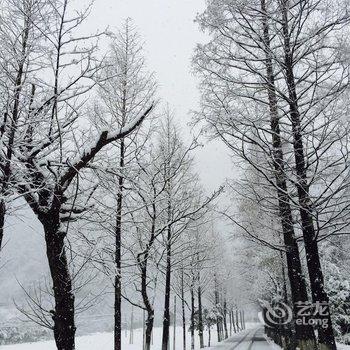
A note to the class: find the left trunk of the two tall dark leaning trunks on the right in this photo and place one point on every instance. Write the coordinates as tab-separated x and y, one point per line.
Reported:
305	337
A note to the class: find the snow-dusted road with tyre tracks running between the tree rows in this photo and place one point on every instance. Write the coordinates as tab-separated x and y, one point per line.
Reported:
252	339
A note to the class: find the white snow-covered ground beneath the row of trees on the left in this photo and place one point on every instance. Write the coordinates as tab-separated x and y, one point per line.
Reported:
104	341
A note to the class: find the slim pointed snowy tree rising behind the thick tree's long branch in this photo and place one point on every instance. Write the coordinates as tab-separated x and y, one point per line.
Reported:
125	91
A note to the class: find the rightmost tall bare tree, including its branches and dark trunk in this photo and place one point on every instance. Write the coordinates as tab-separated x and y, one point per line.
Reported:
320	78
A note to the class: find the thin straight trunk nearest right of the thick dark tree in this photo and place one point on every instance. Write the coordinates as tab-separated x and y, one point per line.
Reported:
118	238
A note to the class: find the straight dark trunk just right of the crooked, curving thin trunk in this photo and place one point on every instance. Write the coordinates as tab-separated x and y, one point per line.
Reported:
166	316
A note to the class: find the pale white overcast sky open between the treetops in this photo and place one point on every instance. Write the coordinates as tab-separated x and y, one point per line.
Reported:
170	35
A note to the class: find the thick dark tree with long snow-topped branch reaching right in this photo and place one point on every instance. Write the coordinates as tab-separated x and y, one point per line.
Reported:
54	148
